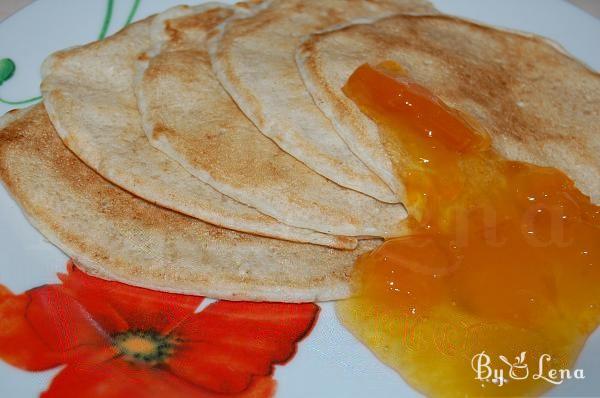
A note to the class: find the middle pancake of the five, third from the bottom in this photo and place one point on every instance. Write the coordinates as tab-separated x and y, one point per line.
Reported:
189	116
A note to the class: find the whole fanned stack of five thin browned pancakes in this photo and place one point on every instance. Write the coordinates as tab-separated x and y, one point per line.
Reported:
210	150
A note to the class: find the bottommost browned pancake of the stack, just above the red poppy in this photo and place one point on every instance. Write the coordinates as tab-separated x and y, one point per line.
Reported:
115	235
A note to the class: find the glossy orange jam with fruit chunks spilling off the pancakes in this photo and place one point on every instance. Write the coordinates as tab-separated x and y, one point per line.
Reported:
498	286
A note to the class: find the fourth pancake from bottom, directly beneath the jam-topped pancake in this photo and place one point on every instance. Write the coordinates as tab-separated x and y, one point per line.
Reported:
253	57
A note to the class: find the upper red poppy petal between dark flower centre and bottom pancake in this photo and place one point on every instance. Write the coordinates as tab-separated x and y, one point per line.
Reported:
142	309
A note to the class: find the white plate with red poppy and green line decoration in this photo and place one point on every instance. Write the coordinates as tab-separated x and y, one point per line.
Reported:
330	362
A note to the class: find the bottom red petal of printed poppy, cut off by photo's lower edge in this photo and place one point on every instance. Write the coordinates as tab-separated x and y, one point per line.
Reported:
120	379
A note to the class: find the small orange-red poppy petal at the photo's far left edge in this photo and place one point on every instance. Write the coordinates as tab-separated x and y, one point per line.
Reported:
20	345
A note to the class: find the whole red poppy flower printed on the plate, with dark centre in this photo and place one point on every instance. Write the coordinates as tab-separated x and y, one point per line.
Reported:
121	341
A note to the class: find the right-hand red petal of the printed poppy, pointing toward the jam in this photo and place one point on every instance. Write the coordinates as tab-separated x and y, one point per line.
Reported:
232	342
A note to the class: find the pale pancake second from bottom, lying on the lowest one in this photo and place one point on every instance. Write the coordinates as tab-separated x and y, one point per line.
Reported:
88	93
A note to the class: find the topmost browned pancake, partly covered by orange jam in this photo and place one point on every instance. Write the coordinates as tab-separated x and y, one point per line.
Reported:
538	104
